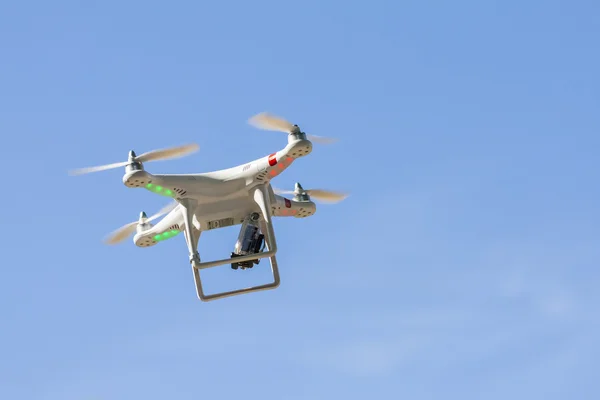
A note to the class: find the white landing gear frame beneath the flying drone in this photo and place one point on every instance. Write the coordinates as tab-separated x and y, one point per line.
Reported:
242	260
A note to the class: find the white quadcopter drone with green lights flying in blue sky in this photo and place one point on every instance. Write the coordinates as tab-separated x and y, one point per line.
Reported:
241	195
